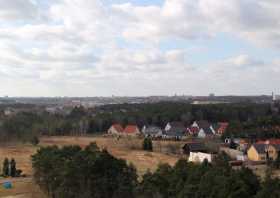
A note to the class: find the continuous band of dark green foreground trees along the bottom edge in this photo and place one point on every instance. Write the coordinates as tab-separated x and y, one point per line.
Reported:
94	173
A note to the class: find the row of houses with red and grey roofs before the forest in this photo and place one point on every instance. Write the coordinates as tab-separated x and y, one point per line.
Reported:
176	130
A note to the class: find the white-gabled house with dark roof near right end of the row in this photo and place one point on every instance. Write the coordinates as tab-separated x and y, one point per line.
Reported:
205	129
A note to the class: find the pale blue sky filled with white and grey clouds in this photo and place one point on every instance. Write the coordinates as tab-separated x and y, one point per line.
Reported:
139	47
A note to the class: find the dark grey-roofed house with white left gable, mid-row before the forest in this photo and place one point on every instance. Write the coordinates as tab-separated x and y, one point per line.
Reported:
175	130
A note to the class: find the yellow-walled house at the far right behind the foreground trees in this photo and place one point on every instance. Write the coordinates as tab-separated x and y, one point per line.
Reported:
257	152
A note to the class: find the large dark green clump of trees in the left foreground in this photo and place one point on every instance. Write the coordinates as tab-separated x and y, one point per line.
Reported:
88	173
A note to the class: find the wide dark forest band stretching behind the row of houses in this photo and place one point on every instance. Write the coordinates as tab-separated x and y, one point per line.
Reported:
246	119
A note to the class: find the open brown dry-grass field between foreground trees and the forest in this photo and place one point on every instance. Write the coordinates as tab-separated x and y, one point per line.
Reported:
124	148
